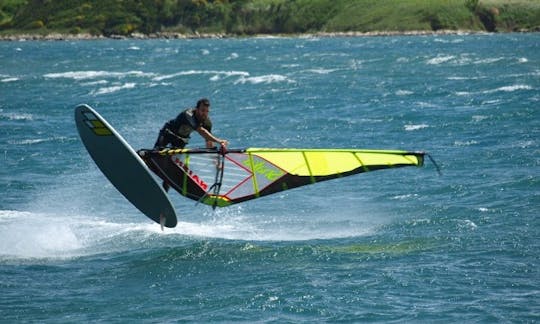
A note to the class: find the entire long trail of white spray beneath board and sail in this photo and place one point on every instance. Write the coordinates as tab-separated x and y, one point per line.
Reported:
70	234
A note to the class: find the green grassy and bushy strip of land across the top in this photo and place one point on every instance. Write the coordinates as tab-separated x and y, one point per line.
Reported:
59	19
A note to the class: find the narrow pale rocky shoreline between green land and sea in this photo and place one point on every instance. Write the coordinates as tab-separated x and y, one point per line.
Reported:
174	35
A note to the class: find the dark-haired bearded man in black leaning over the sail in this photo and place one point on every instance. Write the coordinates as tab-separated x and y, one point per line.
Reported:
176	132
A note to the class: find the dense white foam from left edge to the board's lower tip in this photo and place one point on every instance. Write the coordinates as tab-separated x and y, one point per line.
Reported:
27	235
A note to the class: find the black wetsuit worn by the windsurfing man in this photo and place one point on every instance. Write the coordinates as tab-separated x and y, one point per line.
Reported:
177	131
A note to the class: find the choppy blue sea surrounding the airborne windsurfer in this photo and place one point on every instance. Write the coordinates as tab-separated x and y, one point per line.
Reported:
404	245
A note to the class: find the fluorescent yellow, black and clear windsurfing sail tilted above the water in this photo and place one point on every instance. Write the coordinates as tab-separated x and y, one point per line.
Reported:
220	178
